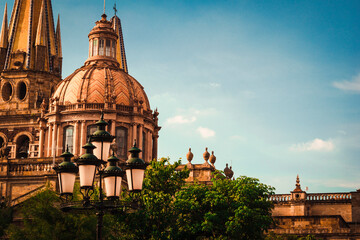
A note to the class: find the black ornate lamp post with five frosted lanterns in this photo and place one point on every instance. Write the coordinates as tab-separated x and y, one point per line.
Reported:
88	166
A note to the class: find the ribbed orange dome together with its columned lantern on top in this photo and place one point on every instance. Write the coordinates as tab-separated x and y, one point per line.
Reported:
103	78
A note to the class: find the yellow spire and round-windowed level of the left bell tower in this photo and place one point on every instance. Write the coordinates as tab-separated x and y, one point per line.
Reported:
30	56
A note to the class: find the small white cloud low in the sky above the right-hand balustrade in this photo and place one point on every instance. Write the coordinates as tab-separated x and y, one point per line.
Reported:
314	145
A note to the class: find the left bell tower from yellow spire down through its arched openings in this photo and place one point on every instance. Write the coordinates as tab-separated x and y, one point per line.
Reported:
30	68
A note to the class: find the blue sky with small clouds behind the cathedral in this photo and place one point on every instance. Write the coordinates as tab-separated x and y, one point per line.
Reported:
273	87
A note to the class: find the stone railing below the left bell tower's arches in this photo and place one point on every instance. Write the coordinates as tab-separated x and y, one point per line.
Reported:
22	167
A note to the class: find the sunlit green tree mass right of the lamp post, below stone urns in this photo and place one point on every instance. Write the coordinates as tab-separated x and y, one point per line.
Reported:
226	209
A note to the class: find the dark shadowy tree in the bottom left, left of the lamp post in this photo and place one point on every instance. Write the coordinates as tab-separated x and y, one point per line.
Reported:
42	219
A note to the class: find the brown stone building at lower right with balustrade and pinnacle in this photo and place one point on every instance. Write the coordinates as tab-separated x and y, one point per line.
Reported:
325	215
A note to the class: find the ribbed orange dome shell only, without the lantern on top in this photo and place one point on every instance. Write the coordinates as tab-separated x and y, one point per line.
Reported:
101	82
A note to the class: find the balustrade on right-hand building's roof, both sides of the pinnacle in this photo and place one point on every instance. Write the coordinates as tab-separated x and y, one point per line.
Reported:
313	197
